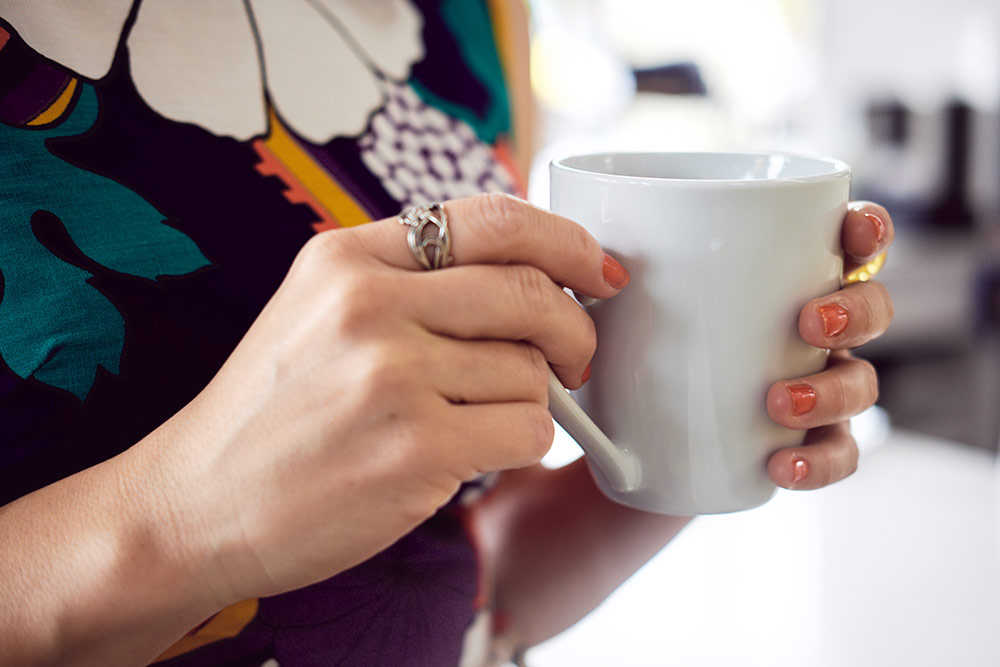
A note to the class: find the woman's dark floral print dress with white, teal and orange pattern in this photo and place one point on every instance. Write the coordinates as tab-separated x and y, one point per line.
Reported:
161	163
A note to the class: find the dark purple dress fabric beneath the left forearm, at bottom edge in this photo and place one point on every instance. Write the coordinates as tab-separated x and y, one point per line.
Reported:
409	605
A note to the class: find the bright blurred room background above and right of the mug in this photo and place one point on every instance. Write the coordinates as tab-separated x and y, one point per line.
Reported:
906	92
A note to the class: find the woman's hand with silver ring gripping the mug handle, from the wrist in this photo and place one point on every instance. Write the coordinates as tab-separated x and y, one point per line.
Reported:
368	390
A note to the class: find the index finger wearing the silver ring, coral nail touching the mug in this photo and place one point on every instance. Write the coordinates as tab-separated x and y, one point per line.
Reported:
501	229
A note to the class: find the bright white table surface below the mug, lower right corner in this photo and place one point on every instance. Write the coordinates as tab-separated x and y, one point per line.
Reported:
897	565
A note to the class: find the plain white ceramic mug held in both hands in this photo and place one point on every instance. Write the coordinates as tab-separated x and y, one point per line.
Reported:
724	249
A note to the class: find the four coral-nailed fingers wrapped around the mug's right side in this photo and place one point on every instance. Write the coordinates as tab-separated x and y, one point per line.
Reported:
824	402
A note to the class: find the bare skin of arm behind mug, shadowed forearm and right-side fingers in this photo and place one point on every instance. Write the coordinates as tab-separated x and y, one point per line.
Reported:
538	522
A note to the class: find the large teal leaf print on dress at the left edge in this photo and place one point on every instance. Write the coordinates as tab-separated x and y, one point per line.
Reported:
54	325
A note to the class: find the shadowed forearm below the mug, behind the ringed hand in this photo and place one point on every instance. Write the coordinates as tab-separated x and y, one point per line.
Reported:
558	547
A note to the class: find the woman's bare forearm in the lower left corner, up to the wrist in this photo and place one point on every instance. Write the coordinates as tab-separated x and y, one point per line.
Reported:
92	571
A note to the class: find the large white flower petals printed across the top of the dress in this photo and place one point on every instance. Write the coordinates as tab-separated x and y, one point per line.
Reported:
321	63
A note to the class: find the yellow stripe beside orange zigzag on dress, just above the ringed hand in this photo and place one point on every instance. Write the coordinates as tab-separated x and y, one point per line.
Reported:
341	205
